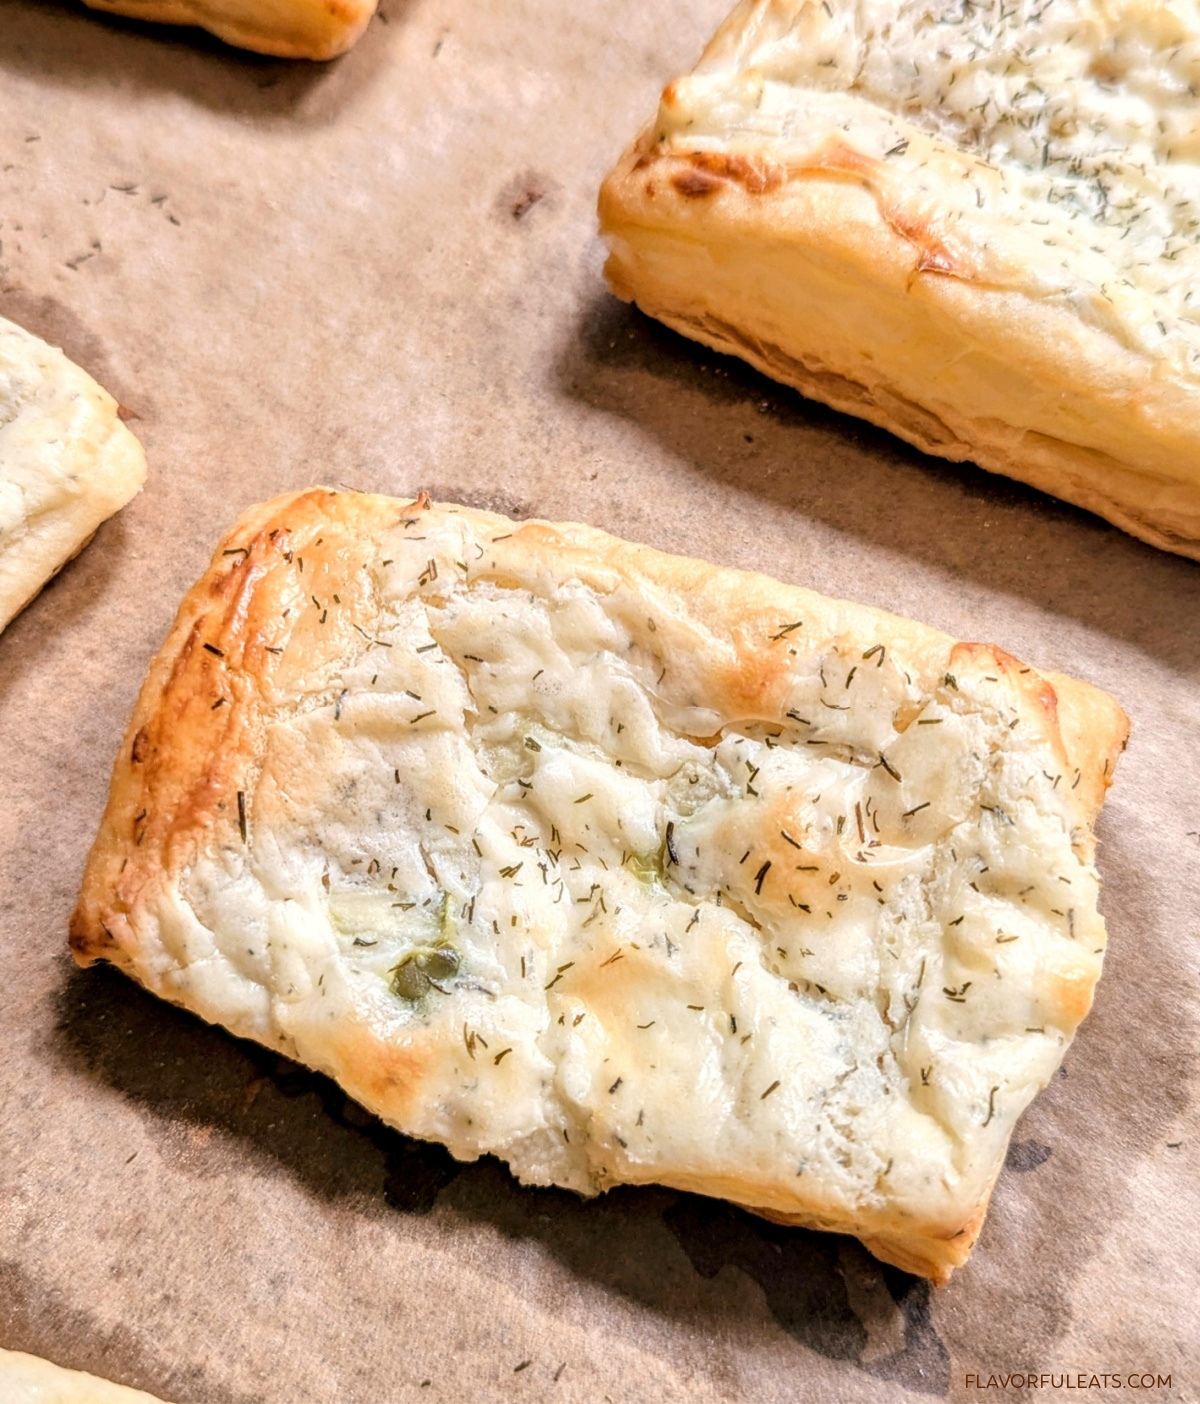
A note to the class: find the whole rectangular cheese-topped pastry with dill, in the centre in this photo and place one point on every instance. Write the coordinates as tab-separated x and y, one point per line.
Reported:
617	866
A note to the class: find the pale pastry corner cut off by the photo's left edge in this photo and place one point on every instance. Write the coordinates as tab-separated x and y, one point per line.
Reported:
67	464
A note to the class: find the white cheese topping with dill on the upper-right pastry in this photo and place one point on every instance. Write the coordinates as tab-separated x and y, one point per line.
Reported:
1062	138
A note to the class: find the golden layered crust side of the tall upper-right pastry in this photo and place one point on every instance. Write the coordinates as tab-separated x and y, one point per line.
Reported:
948	357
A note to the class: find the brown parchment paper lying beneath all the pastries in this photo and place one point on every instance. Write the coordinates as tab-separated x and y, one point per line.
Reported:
384	273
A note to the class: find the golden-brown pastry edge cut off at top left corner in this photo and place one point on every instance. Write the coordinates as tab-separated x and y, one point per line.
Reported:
286	29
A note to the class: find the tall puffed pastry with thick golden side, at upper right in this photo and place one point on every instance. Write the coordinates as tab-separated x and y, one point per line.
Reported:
969	224
